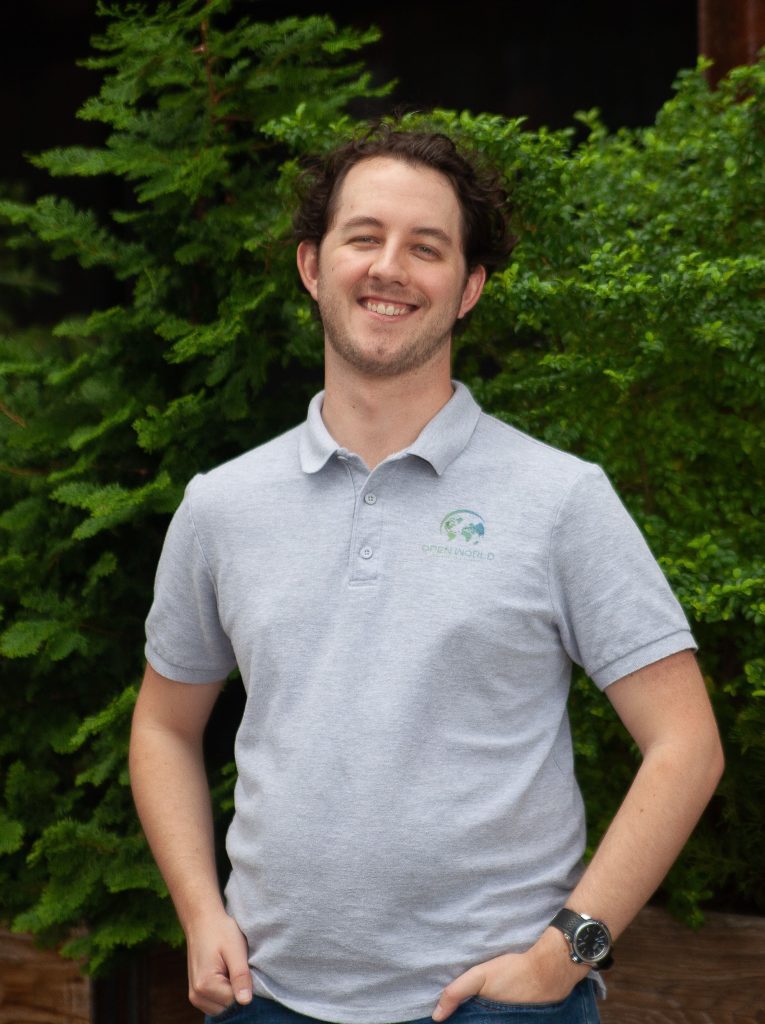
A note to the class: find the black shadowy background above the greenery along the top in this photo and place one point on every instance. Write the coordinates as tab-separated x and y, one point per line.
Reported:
540	59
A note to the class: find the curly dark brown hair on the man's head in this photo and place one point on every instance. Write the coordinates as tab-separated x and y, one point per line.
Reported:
487	239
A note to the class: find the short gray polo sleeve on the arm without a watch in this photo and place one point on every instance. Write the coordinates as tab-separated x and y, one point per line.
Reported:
185	638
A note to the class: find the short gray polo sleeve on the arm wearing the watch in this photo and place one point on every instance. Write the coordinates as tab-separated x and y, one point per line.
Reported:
616	611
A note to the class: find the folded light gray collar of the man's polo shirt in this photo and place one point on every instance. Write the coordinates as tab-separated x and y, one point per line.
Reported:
440	442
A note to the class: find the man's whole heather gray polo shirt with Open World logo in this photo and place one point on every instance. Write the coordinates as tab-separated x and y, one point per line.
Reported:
406	804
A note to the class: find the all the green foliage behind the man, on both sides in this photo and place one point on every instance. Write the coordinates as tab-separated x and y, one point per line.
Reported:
628	329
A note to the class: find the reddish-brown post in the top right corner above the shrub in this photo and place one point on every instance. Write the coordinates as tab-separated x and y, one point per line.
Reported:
731	32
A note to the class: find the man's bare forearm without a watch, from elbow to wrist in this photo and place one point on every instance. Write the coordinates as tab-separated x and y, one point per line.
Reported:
174	802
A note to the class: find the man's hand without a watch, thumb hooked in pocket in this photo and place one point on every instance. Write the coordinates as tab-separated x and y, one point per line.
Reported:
219	971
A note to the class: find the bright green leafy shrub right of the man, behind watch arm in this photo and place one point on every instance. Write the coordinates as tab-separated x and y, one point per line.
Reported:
630	329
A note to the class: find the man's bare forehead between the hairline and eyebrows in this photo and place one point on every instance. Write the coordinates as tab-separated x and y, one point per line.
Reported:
391	190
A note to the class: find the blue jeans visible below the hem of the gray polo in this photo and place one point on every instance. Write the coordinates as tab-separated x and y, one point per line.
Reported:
580	1008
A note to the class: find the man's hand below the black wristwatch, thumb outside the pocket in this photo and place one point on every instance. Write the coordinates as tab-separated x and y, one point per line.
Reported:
543	974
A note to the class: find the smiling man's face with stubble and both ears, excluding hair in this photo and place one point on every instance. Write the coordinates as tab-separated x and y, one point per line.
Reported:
390	275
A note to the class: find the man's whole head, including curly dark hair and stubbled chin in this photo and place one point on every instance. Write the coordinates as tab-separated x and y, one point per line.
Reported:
396	234
